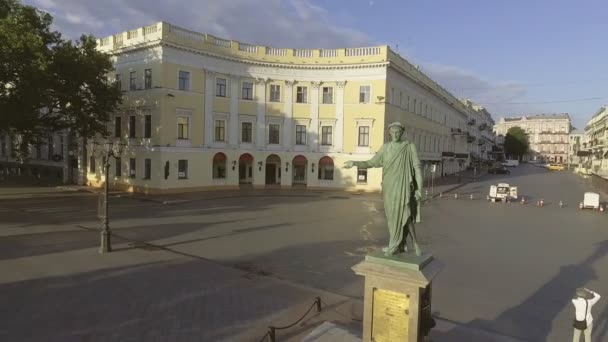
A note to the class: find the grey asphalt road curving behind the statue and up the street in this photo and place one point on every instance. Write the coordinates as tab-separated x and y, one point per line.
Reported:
509	268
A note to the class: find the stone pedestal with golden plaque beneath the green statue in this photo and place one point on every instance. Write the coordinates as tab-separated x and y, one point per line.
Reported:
397	301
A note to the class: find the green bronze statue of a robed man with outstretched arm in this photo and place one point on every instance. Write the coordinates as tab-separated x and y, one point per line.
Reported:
401	188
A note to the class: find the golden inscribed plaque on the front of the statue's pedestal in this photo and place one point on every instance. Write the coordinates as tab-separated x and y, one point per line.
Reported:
390	316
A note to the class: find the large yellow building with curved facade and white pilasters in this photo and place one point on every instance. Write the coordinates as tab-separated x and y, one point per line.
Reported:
202	112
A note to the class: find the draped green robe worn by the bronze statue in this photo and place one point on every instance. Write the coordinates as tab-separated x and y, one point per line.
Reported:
399	162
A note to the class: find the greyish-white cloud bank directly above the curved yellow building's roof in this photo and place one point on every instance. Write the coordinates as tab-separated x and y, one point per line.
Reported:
280	23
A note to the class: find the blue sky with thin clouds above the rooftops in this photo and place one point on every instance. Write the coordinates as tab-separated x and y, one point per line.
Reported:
515	57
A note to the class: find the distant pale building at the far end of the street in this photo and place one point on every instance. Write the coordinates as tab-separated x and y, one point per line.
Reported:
548	135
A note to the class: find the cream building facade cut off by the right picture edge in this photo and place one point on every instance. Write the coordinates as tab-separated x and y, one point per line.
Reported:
595	143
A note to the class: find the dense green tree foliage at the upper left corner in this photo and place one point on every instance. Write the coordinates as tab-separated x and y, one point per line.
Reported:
48	83
